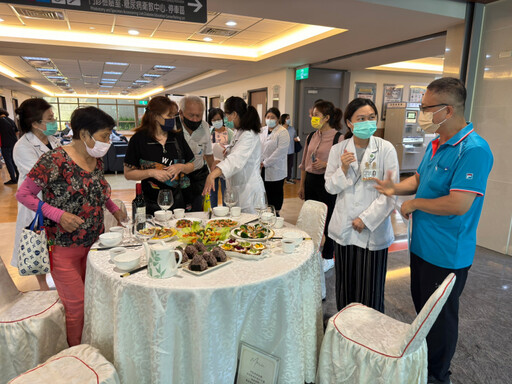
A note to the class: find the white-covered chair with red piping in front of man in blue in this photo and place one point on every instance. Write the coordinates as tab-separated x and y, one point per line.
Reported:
362	345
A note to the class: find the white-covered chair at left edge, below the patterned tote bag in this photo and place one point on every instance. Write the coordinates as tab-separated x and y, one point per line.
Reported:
32	327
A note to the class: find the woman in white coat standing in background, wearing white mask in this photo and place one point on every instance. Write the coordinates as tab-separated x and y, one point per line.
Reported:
275	141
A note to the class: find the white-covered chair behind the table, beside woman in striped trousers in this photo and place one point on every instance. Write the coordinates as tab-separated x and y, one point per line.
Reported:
311	220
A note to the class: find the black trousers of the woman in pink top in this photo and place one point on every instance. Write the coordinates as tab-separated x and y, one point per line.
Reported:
314	189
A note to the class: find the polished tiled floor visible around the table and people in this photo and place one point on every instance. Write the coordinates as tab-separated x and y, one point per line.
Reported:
482	355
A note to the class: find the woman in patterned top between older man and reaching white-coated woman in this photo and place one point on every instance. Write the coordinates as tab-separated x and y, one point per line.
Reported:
221	138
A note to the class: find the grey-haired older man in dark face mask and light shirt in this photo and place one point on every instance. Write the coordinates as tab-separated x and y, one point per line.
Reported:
197	135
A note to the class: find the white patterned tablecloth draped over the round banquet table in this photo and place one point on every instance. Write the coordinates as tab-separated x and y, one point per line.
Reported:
187	329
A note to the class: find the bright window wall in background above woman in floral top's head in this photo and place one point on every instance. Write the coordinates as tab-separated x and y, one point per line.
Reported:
126	113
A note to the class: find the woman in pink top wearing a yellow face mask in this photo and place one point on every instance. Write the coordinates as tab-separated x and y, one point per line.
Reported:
326	119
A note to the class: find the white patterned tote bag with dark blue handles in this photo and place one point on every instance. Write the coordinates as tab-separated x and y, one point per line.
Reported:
33	255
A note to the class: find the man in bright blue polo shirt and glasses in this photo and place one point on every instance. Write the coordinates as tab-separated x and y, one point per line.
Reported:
449	186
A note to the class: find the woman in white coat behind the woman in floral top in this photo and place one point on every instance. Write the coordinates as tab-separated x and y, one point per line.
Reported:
38	125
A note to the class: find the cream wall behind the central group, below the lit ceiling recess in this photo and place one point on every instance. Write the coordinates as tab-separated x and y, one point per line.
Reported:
284	78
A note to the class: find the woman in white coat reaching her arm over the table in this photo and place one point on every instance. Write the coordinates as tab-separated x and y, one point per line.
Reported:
241	165
